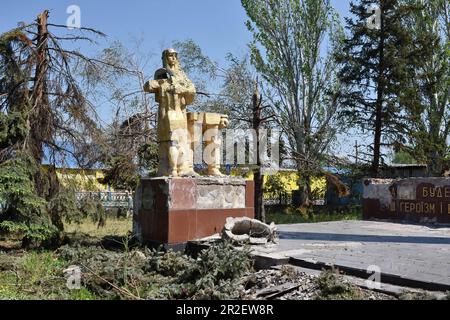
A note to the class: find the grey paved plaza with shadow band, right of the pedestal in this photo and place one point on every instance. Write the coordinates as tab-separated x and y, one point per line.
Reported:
409	254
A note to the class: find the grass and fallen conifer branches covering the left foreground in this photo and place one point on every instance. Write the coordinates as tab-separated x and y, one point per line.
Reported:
217	273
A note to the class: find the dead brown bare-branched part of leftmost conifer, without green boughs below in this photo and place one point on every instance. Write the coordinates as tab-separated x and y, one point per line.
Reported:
42	100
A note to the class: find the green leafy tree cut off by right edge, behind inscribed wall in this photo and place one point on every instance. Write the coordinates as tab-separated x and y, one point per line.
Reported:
426	96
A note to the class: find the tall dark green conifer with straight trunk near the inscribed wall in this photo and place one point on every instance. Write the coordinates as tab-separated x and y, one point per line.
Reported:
374	69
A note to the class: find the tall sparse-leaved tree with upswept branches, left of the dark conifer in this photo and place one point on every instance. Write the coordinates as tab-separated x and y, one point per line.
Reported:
289	52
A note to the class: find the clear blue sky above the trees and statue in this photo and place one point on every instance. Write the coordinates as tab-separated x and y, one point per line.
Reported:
218	26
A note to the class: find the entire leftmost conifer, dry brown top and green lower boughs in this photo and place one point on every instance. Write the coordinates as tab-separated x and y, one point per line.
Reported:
41	104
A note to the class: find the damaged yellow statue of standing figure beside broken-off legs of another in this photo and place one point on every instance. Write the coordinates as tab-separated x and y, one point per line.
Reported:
174	92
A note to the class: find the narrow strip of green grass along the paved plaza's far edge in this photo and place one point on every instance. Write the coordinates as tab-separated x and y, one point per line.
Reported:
297	217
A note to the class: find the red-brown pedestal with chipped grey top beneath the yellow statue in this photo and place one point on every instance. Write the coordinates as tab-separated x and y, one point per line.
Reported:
173	211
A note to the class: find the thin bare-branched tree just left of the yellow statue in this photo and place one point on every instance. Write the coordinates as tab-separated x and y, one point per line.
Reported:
131	136
